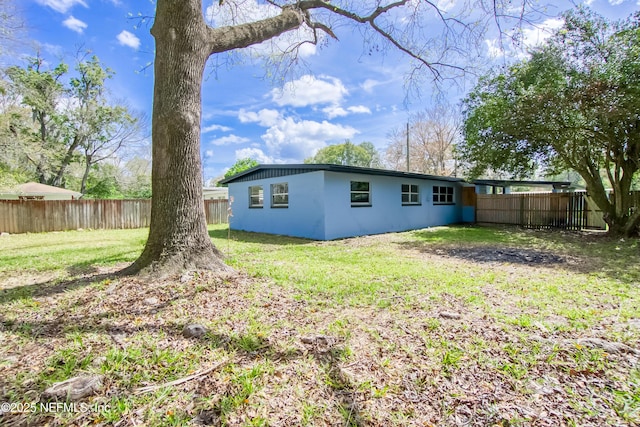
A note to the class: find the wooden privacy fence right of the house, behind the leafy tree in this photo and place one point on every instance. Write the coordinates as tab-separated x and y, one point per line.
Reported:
569	211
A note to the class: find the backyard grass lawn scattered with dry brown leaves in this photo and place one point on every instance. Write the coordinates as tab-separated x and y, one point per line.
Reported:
447	326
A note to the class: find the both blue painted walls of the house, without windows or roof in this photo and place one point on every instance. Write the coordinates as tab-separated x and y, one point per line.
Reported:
320	206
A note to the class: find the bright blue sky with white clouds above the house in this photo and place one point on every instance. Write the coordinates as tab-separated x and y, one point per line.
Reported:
342	93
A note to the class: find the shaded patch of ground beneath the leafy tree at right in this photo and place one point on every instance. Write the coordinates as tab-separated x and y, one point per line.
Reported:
581	252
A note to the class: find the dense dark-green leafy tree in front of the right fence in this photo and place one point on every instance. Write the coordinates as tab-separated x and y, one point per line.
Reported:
572	105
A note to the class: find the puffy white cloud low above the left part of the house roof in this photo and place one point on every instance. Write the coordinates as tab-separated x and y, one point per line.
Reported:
290	140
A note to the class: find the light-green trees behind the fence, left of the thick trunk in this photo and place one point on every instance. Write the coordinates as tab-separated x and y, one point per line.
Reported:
71	120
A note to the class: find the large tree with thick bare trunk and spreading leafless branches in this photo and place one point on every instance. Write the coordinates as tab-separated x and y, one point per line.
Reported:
178	237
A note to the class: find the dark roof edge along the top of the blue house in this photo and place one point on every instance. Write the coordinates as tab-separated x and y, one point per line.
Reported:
341	169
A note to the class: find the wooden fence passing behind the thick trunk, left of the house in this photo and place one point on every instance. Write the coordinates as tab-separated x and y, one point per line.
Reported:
34	216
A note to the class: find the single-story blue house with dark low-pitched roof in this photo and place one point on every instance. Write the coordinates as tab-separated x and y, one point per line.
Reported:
325	202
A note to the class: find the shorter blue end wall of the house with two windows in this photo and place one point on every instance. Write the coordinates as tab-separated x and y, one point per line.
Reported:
303	218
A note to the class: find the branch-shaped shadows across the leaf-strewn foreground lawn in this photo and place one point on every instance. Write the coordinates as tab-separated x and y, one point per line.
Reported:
242	347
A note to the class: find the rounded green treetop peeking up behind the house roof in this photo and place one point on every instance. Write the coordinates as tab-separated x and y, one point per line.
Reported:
347	154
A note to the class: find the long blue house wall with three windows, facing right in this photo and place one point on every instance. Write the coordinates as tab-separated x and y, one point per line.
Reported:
386	214
